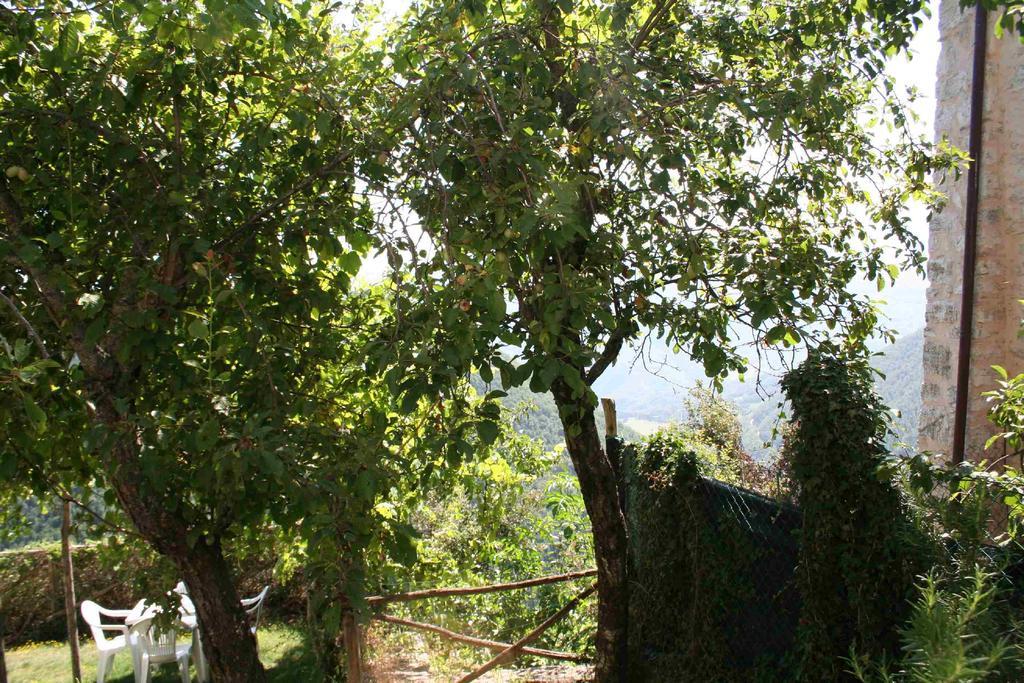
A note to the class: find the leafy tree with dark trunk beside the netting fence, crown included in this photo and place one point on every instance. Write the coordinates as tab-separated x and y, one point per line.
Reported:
571	177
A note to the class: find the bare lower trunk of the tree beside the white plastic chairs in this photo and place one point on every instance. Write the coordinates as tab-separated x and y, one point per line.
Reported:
229	644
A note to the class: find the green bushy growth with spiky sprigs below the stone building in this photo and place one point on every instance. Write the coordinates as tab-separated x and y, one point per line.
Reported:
964	623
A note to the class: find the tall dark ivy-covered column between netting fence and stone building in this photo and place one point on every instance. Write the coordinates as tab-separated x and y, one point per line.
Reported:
861	551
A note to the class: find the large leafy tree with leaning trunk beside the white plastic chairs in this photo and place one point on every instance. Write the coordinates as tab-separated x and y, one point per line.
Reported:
177	218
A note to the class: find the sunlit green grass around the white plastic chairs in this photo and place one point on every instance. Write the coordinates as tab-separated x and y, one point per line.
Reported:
282	649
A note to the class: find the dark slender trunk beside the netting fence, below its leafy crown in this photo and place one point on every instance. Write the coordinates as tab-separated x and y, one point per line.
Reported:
599	484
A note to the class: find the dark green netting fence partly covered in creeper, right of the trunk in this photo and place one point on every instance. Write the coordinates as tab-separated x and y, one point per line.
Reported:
712	593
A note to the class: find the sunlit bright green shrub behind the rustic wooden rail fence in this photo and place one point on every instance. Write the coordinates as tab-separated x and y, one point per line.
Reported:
505	518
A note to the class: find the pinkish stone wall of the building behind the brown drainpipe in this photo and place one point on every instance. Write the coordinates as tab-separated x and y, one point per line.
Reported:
1000	274
